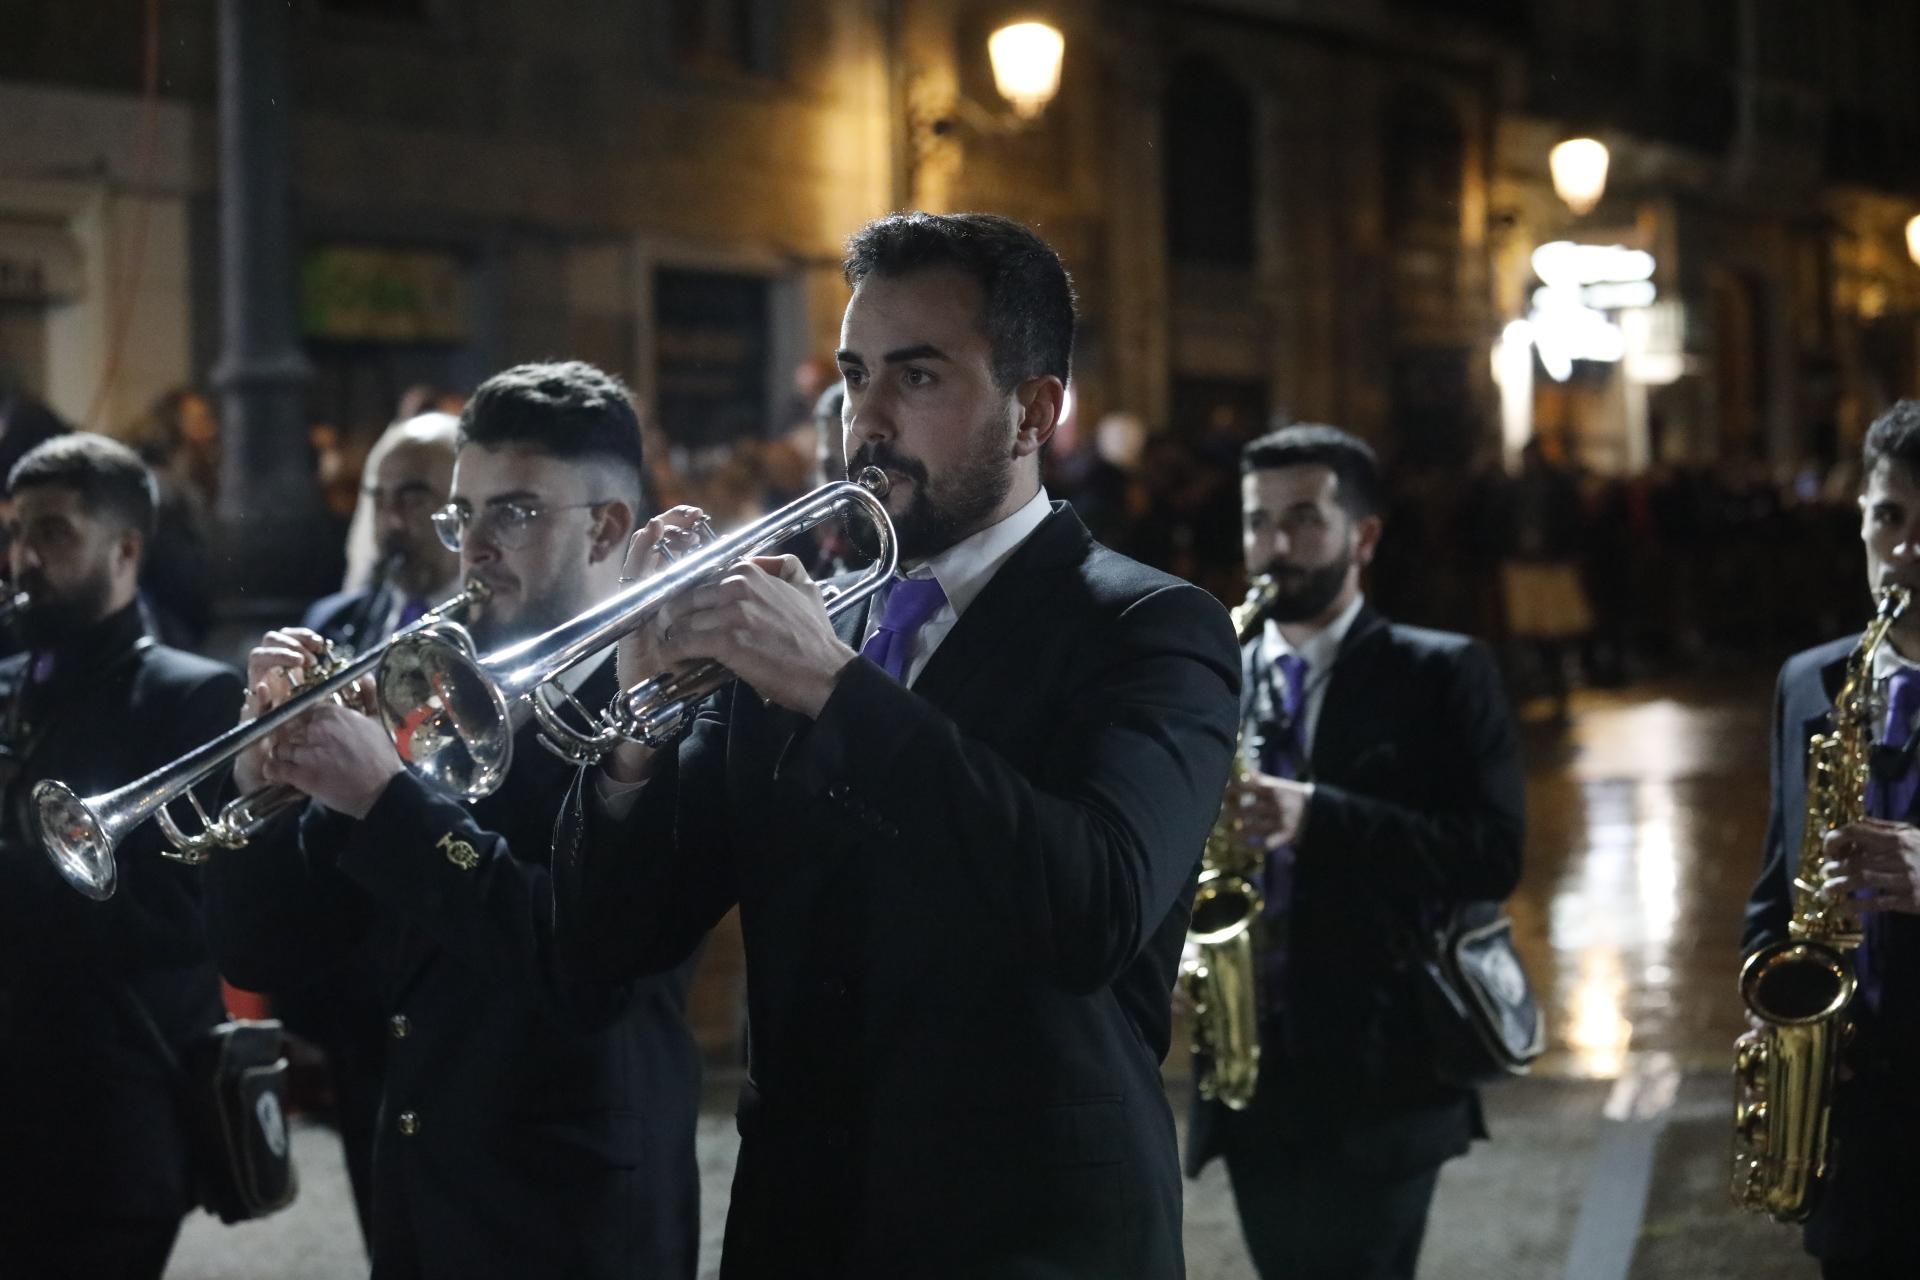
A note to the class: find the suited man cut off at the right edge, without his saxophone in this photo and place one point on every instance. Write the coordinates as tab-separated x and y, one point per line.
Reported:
1861	1206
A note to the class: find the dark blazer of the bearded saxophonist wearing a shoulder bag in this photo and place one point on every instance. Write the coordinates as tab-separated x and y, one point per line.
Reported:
1418	805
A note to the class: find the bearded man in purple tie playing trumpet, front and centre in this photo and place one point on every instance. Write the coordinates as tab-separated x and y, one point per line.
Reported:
961	822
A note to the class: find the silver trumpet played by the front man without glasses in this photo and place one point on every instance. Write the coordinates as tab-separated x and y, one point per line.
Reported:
450	707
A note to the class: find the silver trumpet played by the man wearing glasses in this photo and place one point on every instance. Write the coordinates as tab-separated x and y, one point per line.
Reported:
82	834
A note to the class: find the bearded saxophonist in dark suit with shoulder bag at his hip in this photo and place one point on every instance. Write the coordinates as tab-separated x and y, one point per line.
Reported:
1387	790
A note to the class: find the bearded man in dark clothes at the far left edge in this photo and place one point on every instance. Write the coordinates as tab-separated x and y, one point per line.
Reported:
95	995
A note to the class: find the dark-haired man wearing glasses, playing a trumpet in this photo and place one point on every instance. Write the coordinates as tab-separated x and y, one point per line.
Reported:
535	1122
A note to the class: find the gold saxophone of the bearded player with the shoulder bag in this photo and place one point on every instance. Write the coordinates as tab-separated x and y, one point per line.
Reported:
1220	976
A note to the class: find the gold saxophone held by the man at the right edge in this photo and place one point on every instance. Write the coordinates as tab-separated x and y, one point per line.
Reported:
1785	1072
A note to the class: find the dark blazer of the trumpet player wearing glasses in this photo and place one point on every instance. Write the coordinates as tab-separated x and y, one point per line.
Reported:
533	1124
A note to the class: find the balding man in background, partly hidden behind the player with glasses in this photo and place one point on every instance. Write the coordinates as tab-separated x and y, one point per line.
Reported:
410	473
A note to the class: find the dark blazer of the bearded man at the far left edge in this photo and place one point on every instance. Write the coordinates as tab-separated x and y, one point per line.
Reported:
87	1099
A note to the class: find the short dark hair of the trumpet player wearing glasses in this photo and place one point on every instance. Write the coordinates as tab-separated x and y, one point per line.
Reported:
567	410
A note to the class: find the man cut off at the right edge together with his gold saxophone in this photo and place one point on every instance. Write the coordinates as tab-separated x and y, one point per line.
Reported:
1838	905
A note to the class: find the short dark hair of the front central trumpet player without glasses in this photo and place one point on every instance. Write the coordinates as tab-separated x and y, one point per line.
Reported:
1030	296
